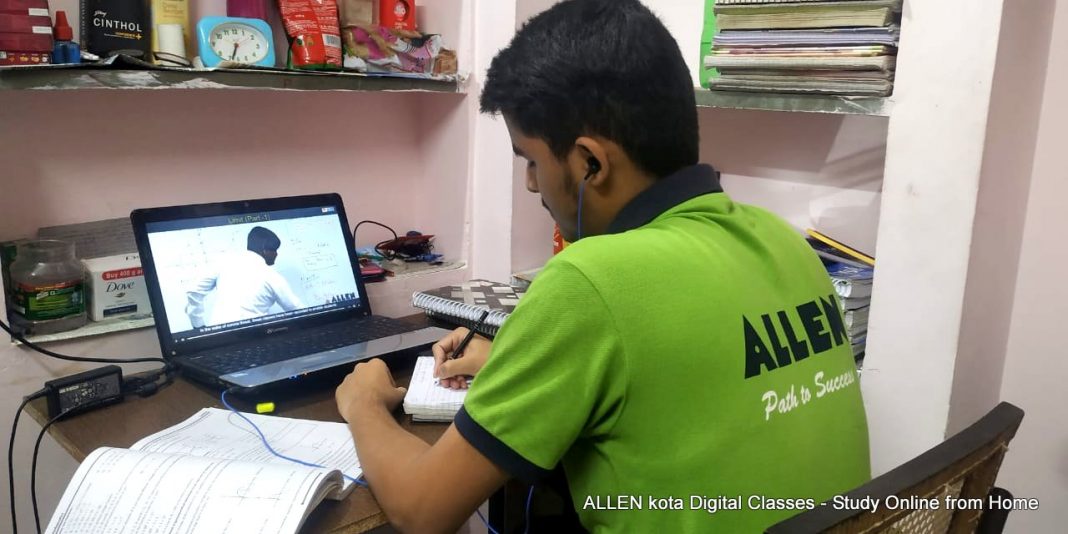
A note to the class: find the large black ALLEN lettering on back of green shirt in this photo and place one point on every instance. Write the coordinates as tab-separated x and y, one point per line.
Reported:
773	341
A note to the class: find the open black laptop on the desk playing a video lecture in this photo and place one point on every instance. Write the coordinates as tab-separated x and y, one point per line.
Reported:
252	294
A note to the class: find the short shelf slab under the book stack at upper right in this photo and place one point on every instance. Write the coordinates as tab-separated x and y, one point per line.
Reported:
797	103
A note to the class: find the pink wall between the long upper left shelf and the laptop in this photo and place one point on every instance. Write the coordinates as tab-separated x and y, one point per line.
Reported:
80	156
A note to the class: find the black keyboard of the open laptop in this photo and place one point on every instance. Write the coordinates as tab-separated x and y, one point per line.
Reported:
307	342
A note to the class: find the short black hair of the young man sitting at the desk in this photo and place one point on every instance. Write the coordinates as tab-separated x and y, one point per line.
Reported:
600	68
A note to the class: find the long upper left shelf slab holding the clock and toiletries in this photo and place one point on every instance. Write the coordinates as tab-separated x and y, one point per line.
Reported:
74	78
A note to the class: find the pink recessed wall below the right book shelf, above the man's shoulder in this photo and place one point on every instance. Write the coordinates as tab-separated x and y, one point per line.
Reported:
814	170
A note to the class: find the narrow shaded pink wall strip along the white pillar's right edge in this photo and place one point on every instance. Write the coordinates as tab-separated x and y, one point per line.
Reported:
1008	164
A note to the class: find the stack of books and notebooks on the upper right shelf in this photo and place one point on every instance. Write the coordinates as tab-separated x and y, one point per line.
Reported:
842	48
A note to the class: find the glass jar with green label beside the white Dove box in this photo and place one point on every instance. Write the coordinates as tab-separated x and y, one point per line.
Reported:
49	289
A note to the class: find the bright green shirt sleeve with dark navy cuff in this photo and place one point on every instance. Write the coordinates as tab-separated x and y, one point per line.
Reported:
555	376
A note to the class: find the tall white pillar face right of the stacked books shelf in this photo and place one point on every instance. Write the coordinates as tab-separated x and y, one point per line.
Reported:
934	161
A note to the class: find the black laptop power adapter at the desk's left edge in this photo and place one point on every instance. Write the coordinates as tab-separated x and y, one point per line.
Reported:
85	391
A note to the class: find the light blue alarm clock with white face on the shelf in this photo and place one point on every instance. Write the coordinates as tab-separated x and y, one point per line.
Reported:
247	41
